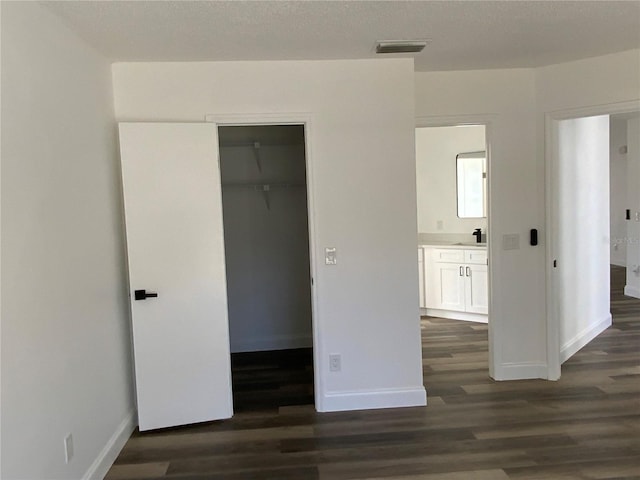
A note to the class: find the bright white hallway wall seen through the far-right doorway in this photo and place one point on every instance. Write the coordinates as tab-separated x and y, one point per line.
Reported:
582	231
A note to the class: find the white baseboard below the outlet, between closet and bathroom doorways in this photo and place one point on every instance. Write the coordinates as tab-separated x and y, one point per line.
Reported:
370	399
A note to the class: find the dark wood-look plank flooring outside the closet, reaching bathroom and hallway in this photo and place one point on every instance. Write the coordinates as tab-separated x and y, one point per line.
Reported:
584	426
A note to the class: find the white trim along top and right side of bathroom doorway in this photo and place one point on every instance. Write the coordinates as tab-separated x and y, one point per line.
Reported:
488	121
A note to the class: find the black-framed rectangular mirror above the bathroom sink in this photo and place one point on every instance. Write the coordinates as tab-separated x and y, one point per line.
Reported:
471	184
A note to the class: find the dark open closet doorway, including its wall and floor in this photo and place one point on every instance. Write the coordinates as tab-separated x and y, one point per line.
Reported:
266	237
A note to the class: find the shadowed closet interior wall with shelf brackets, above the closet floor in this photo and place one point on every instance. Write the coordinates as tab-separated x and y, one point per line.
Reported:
266	246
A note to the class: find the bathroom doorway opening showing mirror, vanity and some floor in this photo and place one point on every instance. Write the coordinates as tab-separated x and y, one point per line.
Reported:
452	193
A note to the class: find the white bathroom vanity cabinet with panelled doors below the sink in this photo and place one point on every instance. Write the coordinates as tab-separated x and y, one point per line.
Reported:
456	283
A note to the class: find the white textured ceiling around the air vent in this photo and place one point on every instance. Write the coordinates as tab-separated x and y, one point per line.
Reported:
463	34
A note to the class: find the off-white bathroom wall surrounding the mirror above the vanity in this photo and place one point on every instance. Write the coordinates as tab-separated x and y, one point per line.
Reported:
436	150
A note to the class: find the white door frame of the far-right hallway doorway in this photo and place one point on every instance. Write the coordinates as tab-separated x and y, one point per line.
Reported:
551	121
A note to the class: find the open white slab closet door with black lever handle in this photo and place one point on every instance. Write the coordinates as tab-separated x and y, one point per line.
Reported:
173	211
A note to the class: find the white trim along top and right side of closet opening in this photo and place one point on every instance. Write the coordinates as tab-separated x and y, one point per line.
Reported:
307	121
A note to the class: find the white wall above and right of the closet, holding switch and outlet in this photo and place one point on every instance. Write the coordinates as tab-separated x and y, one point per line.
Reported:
362	179
